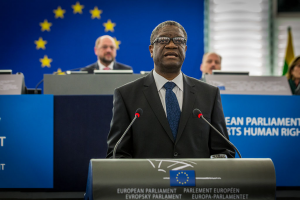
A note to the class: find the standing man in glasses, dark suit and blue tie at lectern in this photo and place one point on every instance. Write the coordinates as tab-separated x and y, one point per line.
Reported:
167	127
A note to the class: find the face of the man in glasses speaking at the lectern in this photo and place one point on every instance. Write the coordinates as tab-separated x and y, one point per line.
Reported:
168	58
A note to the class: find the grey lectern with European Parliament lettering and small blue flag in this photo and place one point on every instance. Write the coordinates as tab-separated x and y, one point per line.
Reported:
181	179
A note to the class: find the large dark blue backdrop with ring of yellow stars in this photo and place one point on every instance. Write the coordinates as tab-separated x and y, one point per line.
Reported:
41	37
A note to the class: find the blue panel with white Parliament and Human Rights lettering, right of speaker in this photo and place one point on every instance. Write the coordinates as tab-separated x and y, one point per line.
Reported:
272	131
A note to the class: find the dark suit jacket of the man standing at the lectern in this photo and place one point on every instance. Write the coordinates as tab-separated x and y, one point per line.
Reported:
151	136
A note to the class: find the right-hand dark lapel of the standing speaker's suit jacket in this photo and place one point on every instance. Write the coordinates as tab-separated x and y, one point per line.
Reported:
187	106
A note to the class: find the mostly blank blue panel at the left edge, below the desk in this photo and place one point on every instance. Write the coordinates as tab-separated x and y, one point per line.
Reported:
26	129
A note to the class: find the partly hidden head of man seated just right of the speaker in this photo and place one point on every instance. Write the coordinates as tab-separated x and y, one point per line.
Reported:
210	62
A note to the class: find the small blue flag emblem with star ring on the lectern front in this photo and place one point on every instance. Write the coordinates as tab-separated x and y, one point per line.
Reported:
182	178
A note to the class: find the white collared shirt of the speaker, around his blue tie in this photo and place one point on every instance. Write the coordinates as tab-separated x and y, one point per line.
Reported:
178	89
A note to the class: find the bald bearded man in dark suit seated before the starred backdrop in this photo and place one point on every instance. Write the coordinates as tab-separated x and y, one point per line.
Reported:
105	50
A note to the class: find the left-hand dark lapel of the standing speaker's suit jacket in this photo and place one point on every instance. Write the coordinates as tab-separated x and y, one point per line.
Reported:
151	94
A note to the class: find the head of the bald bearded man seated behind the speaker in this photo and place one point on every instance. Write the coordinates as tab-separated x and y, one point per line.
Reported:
106	50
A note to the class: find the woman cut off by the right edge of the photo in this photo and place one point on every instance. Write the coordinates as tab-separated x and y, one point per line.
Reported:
293	74
